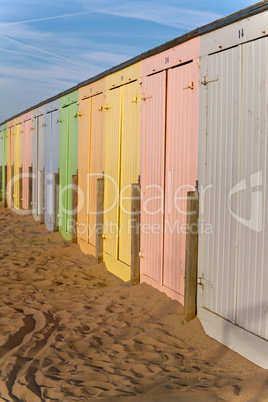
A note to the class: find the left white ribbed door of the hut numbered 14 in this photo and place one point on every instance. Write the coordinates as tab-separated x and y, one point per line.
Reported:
223	92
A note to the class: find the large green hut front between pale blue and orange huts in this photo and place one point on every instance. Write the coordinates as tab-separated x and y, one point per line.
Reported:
68	159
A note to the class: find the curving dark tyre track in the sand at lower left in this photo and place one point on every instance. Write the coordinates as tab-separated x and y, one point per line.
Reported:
16	365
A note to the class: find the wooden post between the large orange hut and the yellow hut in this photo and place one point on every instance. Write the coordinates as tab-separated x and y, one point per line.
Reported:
99	220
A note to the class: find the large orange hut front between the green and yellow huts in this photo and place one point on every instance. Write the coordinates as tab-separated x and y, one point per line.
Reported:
90	161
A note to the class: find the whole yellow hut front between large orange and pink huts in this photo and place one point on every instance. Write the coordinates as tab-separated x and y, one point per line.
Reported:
122	156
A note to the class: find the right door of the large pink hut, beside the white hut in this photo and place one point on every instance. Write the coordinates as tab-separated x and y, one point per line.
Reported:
180	169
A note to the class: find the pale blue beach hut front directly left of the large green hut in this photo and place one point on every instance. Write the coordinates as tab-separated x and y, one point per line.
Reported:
51	163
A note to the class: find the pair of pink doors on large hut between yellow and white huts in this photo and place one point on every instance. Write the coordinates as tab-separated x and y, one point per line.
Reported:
169	171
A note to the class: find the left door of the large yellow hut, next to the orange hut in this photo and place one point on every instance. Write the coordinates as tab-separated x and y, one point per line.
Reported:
111	183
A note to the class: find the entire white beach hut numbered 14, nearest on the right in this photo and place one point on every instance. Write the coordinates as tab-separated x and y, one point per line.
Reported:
232	175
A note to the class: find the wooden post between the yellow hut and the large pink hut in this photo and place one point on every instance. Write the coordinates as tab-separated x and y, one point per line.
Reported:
135	233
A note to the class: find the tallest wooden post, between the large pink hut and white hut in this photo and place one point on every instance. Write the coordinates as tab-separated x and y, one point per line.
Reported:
191	255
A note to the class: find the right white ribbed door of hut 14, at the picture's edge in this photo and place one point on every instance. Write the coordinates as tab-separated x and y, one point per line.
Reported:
252	276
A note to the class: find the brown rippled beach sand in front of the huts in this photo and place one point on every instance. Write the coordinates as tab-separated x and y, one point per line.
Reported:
71	331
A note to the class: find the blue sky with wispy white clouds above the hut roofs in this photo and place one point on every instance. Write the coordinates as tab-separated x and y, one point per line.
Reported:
49	46
